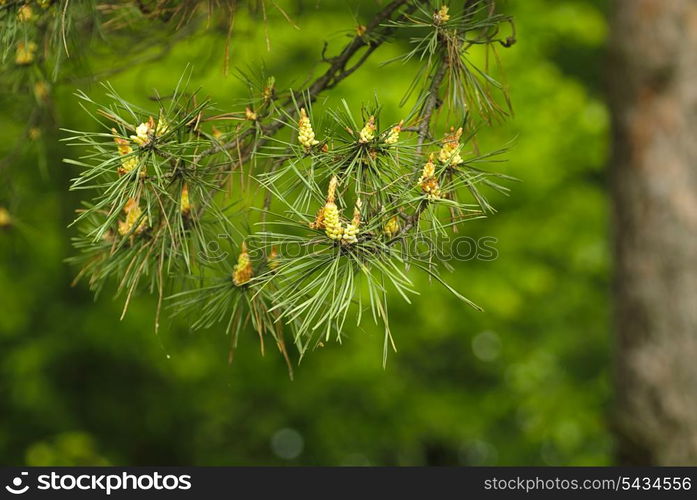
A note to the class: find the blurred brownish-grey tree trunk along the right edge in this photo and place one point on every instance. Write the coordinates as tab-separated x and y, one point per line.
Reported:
653	82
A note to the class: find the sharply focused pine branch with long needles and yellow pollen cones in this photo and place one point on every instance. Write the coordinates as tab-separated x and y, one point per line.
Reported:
341	199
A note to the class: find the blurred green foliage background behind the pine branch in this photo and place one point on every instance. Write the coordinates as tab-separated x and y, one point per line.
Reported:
528	381
